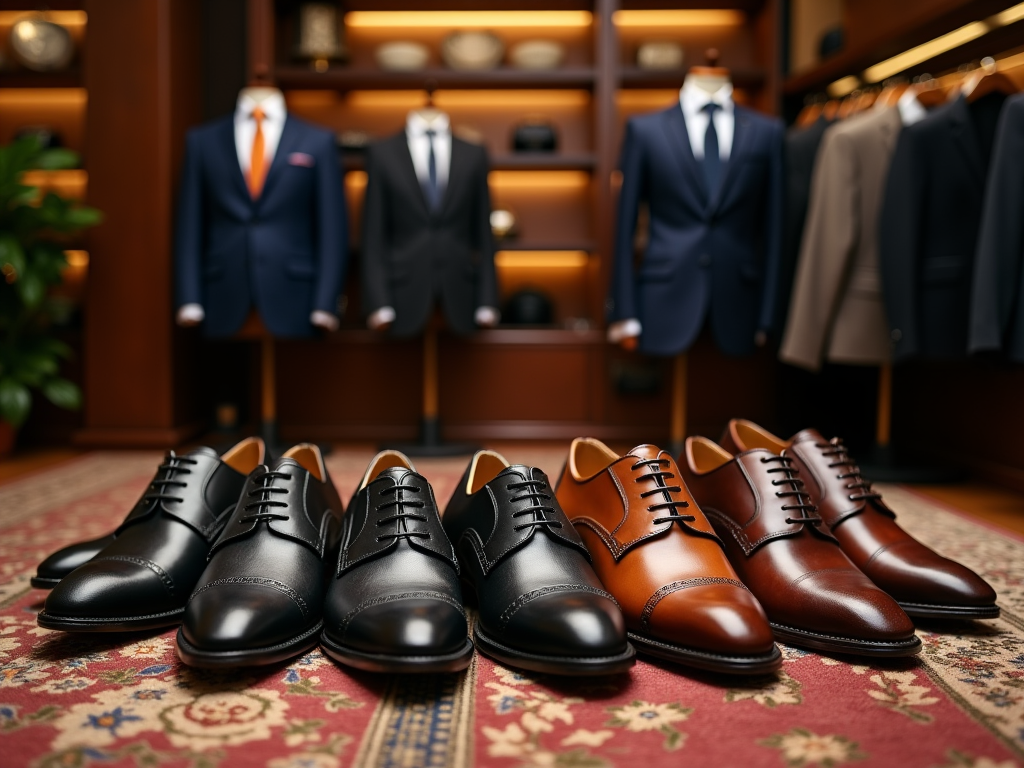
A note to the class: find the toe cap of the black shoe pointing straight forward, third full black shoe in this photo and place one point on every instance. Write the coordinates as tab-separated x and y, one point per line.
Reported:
408	627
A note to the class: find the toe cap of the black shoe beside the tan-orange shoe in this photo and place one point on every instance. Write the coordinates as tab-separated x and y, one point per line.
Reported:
567	624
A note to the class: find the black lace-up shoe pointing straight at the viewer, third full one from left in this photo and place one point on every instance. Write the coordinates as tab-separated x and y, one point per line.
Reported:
396	604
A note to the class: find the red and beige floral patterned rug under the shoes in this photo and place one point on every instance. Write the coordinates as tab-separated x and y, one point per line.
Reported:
126	700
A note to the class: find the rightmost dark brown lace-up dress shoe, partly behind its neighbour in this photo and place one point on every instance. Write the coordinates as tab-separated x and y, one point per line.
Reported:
925	584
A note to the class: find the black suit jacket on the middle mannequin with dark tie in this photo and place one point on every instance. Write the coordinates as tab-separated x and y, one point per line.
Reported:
413	257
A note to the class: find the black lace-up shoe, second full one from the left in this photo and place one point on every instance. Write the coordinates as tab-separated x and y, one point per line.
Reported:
262	598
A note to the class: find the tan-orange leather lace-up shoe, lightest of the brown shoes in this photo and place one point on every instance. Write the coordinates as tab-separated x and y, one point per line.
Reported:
660	558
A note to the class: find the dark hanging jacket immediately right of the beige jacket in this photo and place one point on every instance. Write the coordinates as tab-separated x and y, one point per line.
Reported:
929	227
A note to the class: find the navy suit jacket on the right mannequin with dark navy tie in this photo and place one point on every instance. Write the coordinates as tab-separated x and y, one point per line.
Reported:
717	254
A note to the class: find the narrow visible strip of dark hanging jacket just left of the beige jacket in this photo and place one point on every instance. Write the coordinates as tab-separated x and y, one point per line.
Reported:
800	153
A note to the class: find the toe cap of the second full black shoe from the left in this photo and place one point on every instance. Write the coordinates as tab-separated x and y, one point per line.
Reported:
242	618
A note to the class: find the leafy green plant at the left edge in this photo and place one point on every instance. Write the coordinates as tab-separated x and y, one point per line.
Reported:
34	230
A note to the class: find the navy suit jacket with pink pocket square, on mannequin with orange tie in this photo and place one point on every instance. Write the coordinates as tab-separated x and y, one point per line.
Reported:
284	253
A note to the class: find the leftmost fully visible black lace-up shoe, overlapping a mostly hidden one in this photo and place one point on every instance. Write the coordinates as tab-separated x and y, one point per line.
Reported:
143	579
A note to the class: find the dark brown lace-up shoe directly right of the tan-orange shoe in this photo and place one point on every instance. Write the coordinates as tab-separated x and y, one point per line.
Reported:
814	595
